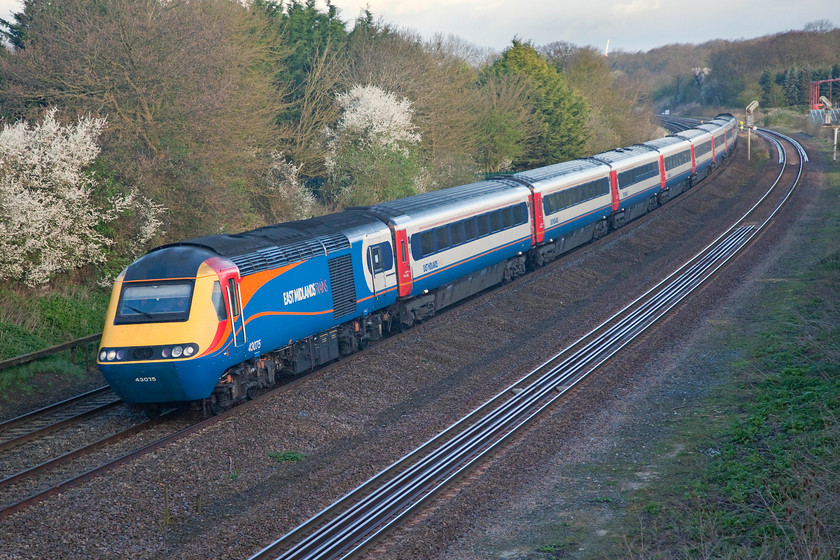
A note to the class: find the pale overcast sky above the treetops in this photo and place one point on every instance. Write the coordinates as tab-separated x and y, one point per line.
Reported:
630	25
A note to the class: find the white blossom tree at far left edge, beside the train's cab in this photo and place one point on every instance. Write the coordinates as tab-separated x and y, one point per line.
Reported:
48	216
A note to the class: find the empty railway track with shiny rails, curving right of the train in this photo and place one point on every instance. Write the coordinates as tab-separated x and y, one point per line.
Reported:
357	520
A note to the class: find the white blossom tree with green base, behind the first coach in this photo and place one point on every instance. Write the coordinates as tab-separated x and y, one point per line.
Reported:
372	154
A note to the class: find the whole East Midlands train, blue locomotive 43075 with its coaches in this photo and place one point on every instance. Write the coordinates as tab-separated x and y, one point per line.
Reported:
213	320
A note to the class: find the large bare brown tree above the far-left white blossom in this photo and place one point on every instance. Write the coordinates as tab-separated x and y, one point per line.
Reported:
184	88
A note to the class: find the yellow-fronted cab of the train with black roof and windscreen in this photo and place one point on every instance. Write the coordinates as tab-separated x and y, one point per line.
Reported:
170	311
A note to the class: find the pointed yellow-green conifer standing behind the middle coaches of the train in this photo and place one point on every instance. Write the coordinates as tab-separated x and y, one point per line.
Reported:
562	112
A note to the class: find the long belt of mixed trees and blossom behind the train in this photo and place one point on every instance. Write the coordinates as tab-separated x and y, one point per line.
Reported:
217	116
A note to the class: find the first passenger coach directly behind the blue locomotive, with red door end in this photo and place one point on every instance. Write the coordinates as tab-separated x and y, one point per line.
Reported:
446	236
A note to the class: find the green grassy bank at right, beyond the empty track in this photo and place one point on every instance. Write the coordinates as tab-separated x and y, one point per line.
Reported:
768	485
